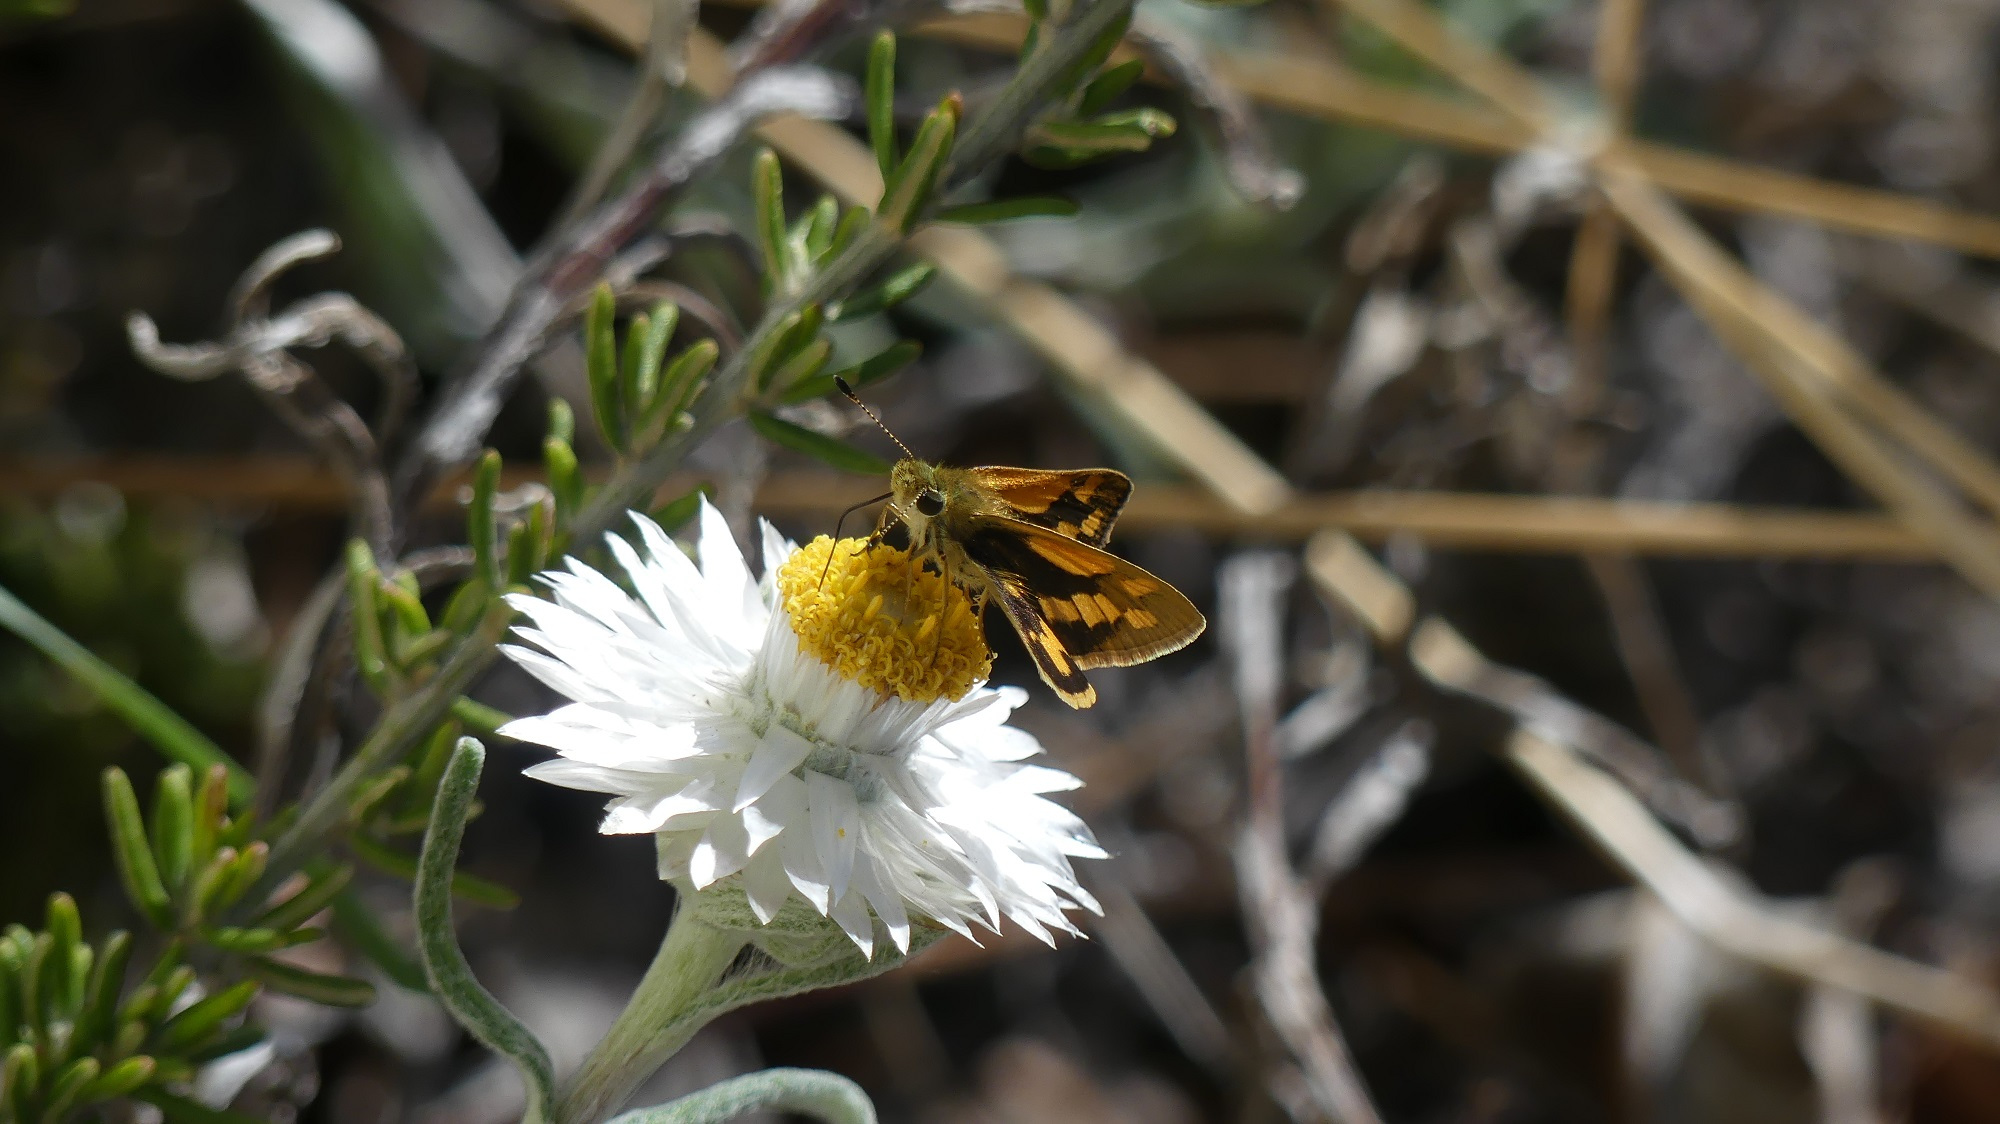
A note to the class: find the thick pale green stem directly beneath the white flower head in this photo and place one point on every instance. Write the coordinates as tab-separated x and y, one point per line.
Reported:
655	1023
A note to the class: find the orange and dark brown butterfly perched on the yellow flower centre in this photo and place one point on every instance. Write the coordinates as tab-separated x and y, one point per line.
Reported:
1033	541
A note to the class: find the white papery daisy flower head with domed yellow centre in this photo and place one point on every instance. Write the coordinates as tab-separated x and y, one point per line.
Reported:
823	733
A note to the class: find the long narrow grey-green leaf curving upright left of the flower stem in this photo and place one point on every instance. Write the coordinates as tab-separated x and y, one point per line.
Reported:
451	977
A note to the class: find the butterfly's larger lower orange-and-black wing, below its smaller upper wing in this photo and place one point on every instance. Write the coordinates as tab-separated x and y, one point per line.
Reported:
1077	607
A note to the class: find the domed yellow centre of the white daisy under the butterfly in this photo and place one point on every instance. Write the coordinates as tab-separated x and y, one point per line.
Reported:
879	619
